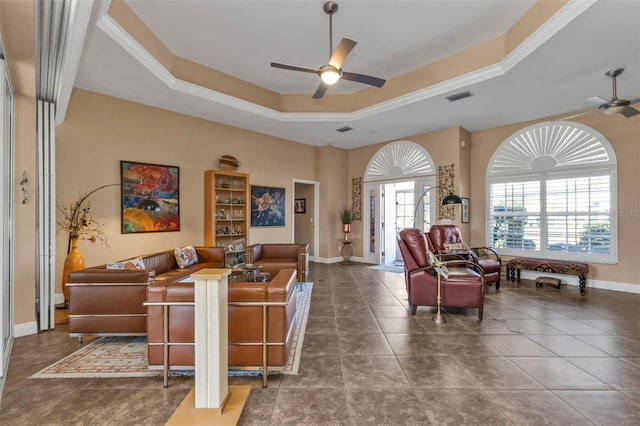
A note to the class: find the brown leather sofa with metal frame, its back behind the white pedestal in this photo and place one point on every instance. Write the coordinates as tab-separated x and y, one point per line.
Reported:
246	303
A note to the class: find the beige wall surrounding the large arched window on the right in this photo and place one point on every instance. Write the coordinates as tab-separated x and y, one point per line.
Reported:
623	134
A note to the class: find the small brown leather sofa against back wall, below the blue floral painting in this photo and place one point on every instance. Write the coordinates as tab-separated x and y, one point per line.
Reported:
272	257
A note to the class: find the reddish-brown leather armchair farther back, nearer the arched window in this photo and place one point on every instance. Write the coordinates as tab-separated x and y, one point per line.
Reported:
488	258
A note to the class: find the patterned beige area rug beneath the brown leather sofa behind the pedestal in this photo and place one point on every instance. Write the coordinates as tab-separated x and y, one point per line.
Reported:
127	356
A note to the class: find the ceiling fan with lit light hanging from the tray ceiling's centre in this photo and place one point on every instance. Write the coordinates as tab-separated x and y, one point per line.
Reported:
332	72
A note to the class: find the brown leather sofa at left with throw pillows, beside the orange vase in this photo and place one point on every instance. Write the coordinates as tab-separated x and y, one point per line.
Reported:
110	302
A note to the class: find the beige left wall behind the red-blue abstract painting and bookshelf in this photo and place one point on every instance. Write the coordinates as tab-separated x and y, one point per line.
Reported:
99	131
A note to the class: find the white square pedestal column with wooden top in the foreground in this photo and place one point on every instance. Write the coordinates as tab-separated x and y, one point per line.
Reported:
211	339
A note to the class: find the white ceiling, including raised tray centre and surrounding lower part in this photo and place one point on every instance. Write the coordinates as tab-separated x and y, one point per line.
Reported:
552	73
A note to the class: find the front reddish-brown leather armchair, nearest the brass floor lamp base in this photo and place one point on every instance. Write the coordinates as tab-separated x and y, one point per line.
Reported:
464	288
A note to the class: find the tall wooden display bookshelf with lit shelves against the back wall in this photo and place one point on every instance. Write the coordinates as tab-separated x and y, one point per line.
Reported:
227	203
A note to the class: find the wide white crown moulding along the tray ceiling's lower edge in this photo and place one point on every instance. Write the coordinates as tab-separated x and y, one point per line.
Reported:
571	10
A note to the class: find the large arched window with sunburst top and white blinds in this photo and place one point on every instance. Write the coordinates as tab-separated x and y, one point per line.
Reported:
551	193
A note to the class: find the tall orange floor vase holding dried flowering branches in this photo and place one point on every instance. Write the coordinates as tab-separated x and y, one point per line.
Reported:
77	220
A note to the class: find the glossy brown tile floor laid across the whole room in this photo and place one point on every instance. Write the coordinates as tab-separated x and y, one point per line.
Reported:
541	356
